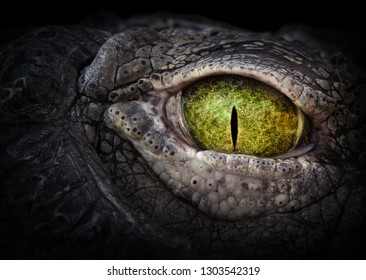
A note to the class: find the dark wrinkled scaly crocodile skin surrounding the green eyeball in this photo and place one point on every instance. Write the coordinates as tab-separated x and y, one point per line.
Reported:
76	184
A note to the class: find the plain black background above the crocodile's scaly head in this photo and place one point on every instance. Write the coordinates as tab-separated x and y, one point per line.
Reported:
255	15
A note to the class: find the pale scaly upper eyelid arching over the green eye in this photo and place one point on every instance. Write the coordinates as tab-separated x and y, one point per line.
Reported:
302	89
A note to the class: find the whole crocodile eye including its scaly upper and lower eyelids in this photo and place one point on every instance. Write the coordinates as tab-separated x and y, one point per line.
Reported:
234	135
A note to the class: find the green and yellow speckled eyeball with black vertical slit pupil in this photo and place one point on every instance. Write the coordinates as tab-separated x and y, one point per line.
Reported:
241	115
